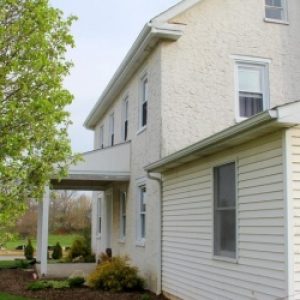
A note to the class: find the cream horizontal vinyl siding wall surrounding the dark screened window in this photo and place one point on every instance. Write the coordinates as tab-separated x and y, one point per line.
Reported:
259	272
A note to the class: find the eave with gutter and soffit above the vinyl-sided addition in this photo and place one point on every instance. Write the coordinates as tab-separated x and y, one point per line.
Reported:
263	123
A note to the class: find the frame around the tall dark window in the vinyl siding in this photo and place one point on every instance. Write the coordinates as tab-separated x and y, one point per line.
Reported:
223	256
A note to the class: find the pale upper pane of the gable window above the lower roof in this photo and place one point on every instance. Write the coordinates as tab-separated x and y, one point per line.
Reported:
250	79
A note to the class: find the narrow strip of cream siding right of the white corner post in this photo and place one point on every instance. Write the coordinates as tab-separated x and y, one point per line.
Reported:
295	160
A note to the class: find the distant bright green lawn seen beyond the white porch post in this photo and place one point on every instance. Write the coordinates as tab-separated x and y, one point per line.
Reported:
64	240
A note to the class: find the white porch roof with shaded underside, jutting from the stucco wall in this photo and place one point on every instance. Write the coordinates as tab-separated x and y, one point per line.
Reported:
98	169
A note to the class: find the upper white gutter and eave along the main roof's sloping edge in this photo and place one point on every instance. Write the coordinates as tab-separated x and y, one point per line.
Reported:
141	48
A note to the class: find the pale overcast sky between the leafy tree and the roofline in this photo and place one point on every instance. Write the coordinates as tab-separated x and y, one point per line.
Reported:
103	34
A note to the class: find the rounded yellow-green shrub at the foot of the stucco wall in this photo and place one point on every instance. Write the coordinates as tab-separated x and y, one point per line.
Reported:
116	275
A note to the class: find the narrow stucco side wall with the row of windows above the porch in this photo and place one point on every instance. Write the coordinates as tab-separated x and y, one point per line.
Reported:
145	148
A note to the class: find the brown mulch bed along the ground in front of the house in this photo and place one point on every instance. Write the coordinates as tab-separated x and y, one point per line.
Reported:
16	281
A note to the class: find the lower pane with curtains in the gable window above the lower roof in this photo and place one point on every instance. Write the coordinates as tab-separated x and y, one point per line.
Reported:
250	104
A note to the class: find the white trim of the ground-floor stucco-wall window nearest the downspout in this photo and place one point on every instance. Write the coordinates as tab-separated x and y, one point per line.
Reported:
140	242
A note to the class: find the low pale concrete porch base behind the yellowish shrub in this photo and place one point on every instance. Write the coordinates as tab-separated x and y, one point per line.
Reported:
65	270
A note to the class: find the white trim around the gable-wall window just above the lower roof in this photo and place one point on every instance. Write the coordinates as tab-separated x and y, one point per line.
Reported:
251	61
